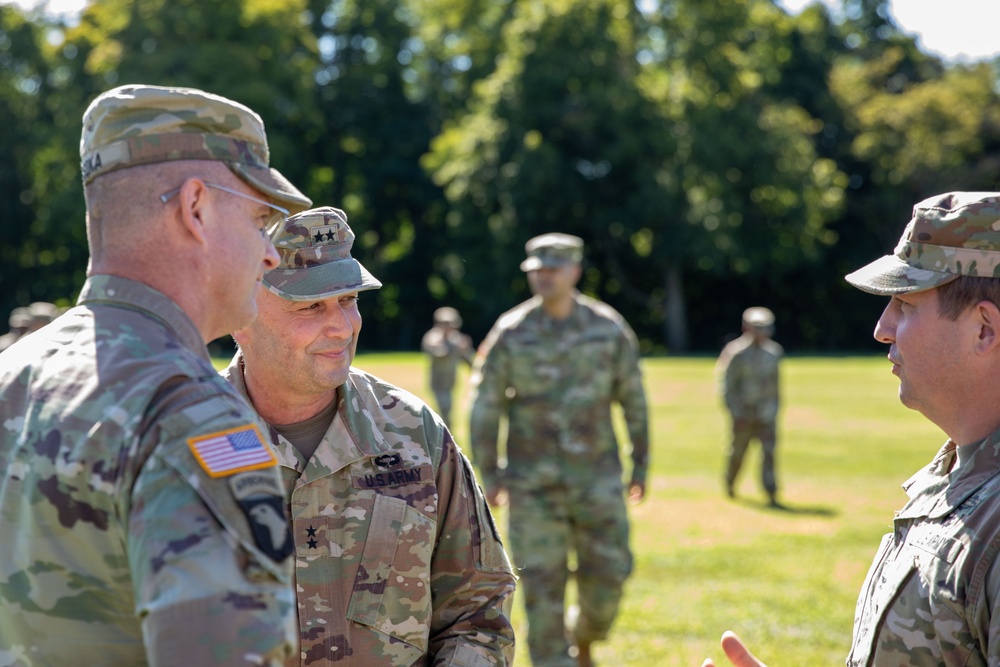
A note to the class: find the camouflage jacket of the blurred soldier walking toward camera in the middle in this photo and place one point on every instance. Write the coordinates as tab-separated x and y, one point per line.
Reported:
555	382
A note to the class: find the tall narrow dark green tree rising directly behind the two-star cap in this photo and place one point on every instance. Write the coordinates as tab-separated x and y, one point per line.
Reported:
377	120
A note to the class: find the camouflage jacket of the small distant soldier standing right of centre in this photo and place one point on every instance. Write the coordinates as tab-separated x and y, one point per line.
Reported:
748	378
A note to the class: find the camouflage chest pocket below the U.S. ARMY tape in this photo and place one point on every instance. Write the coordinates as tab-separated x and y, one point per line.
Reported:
392	587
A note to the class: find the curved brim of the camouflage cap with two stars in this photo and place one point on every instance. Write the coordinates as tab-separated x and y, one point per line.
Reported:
321	281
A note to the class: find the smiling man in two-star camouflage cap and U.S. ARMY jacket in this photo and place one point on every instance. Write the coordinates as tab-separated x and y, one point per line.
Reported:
397	558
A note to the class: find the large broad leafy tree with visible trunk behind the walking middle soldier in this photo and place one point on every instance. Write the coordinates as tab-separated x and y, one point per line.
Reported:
652	136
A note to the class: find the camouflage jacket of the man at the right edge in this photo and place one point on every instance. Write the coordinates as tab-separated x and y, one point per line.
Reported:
932	595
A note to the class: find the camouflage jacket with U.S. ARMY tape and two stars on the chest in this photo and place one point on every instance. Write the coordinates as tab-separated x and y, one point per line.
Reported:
398	561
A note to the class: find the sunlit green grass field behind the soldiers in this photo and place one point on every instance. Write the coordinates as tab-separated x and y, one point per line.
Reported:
785	580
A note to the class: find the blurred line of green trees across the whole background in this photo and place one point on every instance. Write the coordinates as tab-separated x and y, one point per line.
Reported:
712	156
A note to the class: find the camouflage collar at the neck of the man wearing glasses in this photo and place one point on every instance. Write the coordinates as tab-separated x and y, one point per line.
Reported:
103	289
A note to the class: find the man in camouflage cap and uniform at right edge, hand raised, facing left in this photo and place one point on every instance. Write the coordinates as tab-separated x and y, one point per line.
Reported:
930	597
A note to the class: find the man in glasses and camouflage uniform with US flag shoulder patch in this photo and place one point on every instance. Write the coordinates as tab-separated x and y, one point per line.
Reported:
140	508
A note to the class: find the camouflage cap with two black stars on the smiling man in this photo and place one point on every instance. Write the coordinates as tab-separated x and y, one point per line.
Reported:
316	263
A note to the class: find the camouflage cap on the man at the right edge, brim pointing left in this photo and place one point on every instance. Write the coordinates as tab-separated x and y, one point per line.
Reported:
950	235
